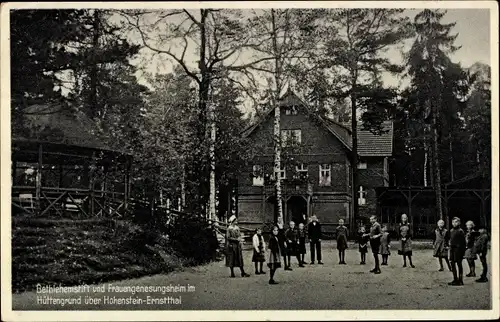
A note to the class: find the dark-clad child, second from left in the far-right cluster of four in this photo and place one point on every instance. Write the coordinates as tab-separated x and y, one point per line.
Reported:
457	250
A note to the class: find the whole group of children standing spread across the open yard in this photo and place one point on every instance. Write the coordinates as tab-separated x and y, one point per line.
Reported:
451	246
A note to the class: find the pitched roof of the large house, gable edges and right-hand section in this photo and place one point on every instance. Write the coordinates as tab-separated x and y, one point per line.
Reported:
369	144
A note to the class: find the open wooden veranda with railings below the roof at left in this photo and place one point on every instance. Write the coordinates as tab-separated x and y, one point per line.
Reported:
61	180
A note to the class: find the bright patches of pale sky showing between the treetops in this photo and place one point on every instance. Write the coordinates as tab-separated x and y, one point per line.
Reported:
472	27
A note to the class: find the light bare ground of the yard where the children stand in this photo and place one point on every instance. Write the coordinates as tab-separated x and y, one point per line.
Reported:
326	287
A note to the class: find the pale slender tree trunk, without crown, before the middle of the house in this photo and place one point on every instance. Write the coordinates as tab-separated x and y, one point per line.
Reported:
277	114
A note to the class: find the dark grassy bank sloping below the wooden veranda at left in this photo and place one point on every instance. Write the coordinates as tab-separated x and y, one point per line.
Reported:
71	252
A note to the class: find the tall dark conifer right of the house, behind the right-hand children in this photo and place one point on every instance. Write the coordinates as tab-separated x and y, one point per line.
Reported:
427	60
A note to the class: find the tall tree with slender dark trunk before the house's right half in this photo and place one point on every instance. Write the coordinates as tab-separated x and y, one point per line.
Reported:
354	54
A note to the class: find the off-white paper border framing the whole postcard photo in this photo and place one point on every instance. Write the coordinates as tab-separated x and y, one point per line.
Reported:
5	177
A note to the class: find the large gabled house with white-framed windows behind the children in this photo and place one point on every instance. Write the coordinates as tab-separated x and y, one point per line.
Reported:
315	172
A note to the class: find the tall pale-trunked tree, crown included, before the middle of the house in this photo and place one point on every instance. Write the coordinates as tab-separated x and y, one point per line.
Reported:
283	36
